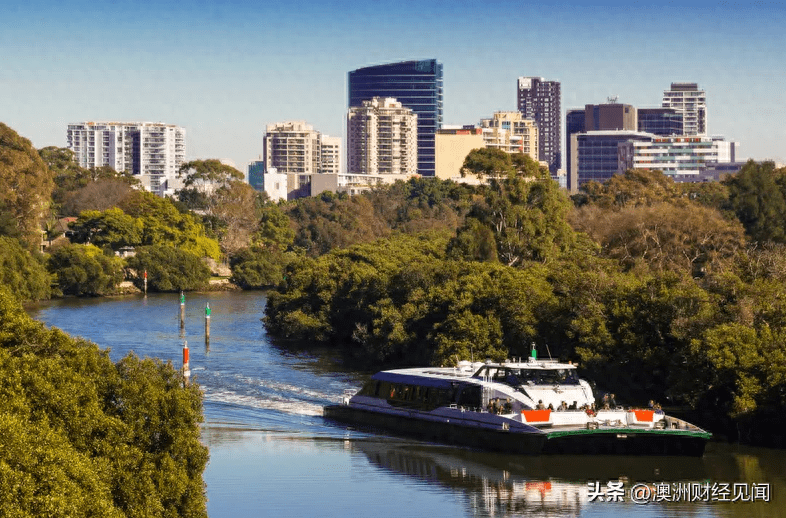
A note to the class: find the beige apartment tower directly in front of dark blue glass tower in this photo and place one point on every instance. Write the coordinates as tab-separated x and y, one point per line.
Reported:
382	138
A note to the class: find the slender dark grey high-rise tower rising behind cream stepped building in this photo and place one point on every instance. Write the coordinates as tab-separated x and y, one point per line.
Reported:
541	100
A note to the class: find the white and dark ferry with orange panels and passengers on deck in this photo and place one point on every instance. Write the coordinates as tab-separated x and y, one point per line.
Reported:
531	407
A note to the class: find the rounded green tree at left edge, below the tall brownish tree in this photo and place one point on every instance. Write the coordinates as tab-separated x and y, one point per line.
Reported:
21	272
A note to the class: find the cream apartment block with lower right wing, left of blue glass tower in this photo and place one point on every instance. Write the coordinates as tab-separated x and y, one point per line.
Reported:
295	147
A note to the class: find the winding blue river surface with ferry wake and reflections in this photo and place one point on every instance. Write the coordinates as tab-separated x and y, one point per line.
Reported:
272	453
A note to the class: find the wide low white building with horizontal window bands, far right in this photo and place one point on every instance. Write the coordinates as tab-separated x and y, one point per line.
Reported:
681	157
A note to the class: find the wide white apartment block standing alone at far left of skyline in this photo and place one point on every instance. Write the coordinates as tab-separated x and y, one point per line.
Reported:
151	151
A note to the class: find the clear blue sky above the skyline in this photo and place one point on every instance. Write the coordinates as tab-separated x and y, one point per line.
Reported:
223	70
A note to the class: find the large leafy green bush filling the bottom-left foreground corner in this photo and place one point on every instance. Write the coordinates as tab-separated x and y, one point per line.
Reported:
80	436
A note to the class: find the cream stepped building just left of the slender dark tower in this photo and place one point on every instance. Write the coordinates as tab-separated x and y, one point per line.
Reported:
511	132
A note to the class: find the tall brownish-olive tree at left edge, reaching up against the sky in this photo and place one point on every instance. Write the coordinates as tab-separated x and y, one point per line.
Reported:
25	188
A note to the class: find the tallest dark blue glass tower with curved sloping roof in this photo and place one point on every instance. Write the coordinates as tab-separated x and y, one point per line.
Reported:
417	85
